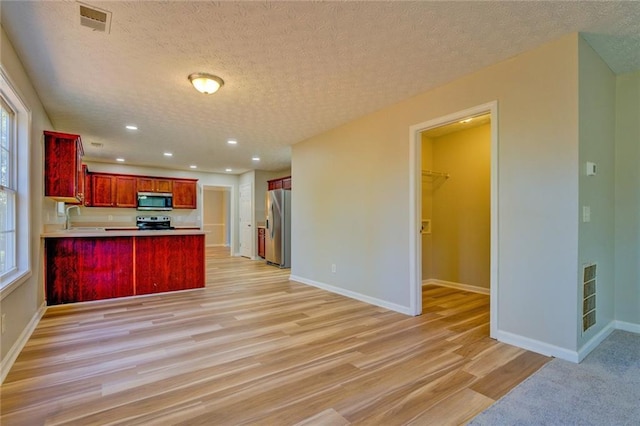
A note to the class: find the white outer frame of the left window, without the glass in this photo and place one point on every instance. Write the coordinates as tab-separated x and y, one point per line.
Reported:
21	149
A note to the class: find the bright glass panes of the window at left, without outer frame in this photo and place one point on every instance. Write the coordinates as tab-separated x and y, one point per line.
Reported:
8	189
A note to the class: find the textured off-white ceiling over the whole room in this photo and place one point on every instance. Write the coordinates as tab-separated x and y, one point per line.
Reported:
291	69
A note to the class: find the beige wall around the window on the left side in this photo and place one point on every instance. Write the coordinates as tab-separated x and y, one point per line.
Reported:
21	306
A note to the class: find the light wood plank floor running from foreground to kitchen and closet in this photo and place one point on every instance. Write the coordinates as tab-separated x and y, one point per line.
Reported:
255	348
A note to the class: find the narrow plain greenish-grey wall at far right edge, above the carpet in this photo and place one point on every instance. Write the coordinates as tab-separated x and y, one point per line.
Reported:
627	201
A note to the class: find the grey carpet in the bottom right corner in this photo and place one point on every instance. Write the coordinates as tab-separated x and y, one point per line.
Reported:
604	389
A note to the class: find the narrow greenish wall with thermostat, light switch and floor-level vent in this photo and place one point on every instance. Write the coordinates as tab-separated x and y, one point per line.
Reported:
597	138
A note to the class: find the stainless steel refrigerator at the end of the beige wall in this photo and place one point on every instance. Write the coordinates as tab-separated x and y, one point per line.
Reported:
277	240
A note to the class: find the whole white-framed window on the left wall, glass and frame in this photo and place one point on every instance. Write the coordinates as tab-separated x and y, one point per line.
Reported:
15	121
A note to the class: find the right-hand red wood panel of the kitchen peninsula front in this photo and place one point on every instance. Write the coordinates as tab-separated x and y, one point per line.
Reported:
167	263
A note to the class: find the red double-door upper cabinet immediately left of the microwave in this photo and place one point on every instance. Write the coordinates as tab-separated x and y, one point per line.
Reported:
109	190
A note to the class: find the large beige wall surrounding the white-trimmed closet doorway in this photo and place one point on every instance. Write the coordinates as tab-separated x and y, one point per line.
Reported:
352	196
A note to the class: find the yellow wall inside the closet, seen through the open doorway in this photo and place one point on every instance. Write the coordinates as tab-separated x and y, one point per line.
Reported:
461	211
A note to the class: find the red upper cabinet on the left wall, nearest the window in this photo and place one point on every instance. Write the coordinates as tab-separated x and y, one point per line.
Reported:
63	174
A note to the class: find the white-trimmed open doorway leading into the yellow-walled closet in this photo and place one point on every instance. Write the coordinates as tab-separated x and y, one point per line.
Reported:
454	205
